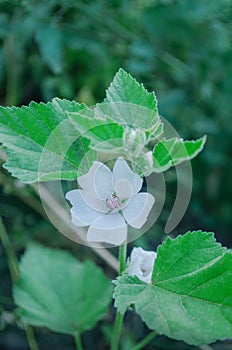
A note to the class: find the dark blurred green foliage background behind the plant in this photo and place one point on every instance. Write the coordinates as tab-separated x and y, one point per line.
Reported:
72	49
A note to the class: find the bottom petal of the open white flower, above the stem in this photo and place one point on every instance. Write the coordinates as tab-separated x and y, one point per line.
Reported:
109	228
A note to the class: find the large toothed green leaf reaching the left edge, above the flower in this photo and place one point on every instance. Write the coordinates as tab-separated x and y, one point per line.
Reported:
41	142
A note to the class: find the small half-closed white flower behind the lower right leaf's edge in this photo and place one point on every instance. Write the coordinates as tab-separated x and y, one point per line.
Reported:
141	264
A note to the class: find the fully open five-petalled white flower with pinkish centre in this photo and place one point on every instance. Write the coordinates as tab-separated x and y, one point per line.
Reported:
108	201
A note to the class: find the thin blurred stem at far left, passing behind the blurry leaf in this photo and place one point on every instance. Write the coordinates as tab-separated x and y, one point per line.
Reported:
14	271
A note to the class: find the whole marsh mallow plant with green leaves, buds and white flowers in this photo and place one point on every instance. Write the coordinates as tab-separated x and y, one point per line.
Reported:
183	291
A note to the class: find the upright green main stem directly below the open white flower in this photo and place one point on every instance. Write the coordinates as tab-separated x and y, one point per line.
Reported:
119	317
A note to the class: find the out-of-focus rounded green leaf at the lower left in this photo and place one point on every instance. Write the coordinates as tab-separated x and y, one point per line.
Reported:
58	292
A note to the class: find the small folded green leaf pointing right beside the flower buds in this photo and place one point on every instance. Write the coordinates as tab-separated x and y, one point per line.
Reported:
168	153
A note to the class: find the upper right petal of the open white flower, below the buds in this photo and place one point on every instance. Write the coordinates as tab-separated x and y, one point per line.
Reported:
122	171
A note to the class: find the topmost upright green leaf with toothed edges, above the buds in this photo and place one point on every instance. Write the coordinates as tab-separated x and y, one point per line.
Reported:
129	103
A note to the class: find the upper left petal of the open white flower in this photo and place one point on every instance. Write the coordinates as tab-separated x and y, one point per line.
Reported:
99	180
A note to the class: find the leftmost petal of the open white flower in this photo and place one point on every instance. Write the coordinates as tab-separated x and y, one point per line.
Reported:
81	213
